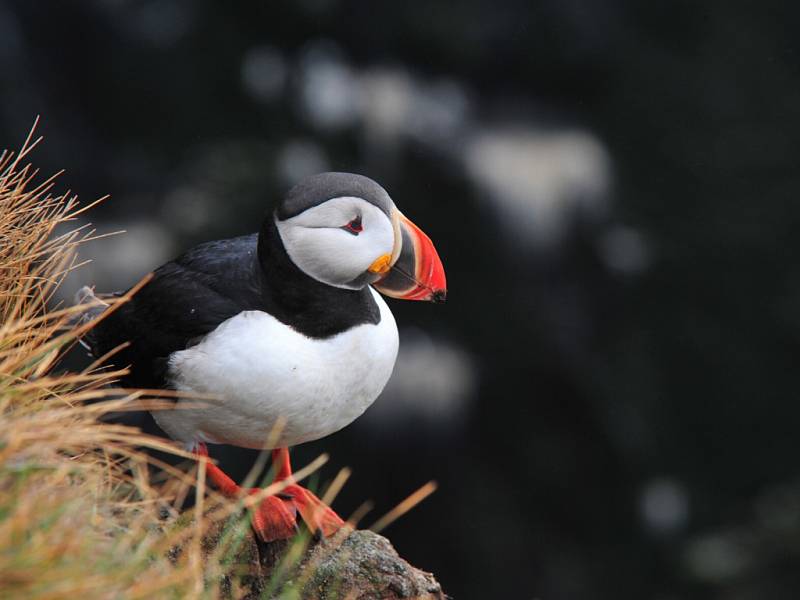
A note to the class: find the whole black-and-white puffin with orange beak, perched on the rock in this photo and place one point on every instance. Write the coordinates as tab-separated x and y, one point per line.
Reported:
283	333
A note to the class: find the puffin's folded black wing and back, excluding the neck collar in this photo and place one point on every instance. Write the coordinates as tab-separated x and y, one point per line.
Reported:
185	300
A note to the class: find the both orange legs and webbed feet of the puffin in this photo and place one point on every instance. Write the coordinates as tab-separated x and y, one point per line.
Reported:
275	518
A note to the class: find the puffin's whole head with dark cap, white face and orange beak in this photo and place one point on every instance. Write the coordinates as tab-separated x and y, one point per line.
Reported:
344	230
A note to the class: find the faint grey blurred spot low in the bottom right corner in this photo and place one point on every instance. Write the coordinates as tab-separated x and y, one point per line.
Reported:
718	557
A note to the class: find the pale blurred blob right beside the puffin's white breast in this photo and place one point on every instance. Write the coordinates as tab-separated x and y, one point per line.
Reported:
433	382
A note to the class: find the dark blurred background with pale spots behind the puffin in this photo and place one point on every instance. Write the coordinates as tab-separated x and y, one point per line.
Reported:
607	399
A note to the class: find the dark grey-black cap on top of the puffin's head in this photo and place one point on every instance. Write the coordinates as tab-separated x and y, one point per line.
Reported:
317	189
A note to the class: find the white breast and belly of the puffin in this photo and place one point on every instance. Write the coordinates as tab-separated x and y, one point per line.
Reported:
260	370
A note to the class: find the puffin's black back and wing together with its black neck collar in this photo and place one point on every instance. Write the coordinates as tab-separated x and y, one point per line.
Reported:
192	295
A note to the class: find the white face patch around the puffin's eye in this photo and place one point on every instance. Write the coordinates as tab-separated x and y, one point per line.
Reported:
317	243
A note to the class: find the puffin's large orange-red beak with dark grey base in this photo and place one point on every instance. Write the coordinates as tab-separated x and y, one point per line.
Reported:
417	273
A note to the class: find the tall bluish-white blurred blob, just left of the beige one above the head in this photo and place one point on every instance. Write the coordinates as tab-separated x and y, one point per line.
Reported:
329	94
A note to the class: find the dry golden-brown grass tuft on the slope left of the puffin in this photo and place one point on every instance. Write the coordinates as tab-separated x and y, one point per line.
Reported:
79	515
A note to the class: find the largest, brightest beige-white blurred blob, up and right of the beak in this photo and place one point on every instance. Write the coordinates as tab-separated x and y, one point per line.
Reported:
540	180
